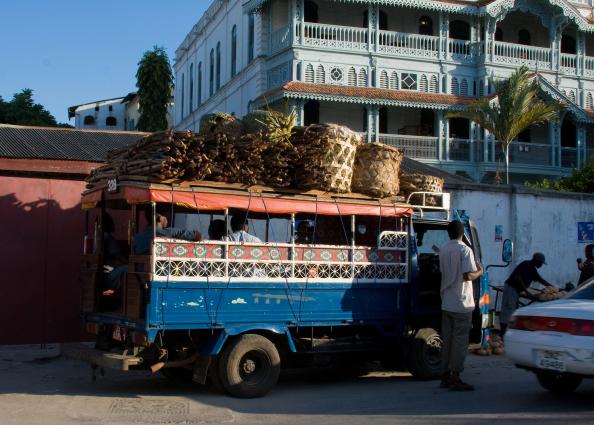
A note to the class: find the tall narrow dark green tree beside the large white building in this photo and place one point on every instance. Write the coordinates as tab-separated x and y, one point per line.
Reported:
154	80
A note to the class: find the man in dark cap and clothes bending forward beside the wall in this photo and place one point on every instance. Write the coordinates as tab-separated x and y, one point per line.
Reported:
518	283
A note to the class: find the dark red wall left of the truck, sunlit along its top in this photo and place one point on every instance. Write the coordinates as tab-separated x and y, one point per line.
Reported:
41	237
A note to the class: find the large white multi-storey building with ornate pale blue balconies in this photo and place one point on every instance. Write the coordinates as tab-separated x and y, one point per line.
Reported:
393	69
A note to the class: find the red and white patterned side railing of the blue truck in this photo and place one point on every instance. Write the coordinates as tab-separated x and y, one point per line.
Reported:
182	261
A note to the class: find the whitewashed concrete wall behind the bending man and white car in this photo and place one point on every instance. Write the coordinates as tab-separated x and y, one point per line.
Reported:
534	220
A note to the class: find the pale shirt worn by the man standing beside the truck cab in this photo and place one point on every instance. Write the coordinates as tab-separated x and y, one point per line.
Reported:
455	259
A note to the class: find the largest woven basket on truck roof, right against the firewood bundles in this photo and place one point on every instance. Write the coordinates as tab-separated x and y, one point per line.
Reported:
326	157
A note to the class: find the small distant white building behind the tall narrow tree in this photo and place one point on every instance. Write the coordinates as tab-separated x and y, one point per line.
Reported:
120	113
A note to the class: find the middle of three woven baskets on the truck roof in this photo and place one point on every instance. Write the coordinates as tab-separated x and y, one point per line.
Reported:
376	170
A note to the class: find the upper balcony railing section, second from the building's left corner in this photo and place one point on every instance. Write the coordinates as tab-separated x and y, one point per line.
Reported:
405	44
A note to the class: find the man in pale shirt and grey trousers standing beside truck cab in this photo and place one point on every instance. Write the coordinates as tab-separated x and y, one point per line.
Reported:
458	270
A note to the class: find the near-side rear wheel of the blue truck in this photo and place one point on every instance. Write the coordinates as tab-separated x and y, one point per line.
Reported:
249	366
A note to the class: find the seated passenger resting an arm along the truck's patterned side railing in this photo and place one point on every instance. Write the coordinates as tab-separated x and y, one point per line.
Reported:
143	240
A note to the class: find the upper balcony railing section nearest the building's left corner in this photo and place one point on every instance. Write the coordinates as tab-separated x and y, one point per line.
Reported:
333	36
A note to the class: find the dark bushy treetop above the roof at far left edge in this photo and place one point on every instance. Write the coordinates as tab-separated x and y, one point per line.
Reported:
22	110
